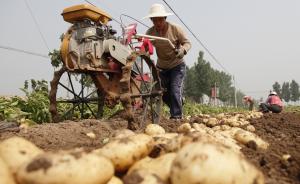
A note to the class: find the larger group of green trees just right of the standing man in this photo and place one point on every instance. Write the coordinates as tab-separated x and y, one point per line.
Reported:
201	78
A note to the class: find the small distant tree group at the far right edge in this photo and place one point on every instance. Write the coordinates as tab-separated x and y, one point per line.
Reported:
288	91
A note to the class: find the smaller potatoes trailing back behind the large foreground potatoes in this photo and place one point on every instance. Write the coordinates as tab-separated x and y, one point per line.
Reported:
230	130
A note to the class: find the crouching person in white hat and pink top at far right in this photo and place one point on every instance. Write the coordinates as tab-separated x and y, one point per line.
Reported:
273	104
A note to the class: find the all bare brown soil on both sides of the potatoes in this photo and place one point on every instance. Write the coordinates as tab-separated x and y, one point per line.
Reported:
280	163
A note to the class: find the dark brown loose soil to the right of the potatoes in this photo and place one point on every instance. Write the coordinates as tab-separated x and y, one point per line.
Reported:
282	132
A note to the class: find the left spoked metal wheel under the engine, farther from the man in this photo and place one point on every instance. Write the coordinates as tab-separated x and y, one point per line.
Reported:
74	96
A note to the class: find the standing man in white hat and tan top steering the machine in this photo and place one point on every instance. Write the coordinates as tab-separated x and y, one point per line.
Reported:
170	60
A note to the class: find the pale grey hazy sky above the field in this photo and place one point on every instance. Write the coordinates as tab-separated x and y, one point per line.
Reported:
257	41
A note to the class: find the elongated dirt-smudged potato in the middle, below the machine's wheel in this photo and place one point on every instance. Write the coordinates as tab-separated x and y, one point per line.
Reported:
124	152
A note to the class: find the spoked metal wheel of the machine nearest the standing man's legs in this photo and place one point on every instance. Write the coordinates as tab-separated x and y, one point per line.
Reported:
147	84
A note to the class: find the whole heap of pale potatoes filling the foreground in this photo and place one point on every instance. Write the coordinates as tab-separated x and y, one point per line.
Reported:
197	153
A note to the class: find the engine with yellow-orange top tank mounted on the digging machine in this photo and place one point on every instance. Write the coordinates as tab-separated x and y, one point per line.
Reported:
90	44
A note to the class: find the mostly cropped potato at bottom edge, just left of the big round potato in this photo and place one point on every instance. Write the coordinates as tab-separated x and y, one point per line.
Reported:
142	177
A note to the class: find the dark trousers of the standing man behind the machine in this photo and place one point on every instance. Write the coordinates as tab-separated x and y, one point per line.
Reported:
172	82
